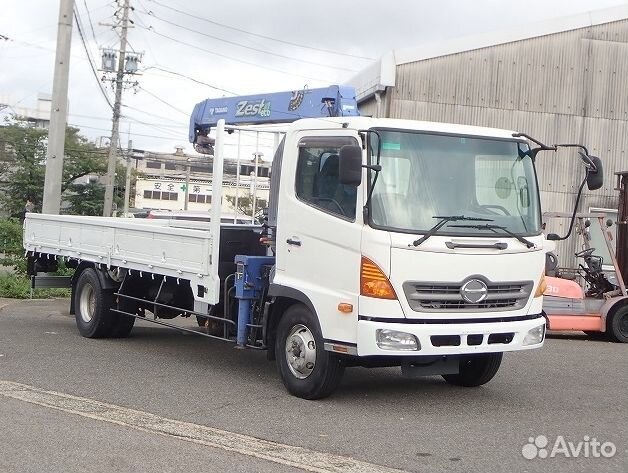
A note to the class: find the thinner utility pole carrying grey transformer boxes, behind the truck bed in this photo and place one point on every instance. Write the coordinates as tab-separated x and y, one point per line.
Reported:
113	150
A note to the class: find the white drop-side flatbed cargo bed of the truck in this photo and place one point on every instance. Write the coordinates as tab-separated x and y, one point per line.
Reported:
177	249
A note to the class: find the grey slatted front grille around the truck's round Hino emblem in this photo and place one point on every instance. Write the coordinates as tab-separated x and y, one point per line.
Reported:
447	297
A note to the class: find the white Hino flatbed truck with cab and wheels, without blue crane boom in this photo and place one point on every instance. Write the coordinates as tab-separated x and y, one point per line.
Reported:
388	243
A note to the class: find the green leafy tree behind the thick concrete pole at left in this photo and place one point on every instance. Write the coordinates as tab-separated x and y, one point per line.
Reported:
23	159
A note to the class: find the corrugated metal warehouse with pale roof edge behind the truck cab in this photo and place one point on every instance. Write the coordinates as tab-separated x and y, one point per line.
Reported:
562	81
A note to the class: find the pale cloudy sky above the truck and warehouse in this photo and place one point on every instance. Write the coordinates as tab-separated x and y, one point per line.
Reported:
194	49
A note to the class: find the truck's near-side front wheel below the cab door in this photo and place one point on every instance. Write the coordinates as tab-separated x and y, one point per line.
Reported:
306	369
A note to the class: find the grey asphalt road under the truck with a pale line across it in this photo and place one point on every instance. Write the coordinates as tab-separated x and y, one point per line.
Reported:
573	388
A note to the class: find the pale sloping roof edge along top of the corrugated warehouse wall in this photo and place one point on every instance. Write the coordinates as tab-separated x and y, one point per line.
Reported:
381	74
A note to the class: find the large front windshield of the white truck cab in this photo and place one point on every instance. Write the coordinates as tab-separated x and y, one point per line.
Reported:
424	176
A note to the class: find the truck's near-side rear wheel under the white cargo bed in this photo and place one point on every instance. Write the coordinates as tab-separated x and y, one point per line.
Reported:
92	306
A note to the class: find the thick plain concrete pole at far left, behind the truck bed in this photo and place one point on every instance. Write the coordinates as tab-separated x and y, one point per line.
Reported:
58	112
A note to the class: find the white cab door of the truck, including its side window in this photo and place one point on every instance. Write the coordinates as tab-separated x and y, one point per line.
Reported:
319	232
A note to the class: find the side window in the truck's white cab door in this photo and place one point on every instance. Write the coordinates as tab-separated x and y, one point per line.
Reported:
317	180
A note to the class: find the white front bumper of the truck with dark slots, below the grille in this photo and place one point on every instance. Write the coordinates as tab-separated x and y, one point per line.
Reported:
451	338
